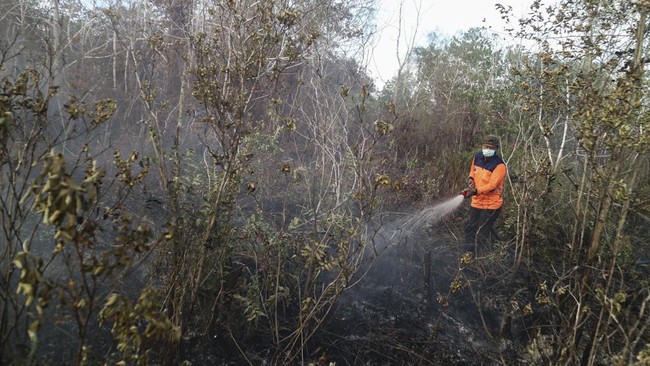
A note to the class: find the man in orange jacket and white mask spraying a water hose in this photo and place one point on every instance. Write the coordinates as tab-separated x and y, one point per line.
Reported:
485	186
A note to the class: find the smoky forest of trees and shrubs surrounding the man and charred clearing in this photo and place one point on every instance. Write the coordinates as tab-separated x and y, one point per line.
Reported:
215	170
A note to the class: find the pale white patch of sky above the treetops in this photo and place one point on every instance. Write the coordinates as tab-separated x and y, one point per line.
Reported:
446	16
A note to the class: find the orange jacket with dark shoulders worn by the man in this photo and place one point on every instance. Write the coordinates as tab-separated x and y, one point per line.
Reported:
488	175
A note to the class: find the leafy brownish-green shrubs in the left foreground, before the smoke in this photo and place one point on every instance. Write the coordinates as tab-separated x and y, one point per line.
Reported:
56	263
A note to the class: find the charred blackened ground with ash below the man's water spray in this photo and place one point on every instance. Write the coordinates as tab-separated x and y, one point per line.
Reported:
426	301
